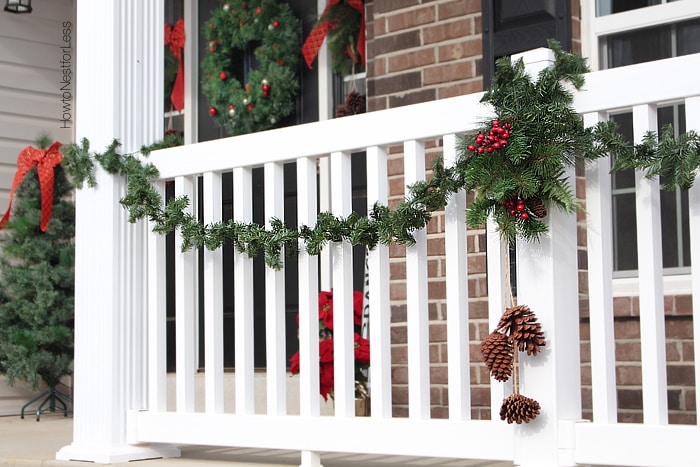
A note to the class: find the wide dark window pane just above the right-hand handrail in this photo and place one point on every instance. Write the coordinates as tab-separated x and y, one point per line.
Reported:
642	45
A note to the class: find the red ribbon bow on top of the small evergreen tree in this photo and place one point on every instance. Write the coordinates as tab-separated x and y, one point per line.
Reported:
45	161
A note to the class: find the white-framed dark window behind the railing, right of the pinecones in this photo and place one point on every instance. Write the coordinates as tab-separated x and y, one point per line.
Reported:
625	32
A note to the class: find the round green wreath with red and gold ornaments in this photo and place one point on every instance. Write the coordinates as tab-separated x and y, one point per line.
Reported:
272	31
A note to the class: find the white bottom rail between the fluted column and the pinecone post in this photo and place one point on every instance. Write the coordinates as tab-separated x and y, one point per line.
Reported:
476	439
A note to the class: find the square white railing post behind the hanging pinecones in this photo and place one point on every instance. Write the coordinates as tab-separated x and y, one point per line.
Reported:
548	284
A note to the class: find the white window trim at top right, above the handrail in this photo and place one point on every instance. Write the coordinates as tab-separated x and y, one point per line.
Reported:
596	26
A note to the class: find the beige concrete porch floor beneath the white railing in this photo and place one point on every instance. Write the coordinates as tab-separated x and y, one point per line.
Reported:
26	442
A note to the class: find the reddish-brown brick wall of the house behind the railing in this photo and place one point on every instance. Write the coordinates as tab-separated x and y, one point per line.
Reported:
422	50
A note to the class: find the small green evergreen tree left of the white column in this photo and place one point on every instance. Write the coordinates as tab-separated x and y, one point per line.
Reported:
37	279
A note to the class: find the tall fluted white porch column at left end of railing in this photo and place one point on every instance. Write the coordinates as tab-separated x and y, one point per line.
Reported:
119	70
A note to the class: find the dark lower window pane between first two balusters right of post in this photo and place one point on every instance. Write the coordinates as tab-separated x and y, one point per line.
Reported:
625	232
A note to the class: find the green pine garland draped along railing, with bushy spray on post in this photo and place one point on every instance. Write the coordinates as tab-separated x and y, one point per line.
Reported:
530	166
